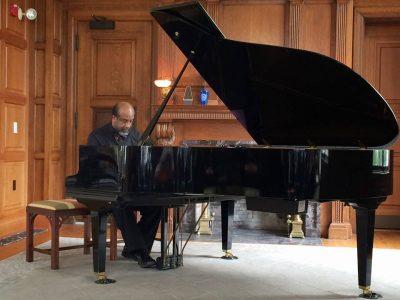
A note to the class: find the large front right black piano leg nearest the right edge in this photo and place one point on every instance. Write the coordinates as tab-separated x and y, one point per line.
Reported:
365	218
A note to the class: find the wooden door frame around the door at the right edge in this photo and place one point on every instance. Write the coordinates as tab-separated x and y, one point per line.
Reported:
379	12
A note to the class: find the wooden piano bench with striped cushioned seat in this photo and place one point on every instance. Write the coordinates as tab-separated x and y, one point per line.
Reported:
56	211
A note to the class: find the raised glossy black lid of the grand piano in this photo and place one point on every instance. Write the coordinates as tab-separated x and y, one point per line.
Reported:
282	96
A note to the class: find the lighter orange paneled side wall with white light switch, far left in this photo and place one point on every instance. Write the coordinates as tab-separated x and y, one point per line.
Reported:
14	99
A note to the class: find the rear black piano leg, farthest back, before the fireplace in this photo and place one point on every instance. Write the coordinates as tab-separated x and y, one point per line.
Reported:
227	212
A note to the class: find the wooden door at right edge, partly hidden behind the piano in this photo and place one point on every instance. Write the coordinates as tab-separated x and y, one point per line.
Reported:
381	67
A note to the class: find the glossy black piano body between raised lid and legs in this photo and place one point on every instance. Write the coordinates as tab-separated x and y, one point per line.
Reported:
286	174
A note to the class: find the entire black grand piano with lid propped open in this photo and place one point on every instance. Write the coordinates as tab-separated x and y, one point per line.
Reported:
322	134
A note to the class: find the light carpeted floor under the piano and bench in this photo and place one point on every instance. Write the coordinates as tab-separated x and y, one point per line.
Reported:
263	271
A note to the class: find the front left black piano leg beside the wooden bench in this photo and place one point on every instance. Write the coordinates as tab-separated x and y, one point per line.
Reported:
99	235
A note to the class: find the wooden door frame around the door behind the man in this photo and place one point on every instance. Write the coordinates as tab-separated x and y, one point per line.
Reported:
75	16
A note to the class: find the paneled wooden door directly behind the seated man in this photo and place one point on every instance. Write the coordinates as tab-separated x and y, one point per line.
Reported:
112	66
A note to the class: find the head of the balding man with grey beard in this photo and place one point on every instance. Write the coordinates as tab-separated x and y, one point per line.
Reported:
122	118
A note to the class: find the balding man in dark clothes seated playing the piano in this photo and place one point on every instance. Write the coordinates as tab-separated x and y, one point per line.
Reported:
138	236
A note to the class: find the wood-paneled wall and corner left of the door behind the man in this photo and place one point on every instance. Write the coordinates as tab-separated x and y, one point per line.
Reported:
32	107
